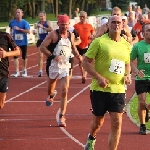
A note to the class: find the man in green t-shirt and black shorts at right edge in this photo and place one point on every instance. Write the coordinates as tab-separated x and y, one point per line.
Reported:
141	53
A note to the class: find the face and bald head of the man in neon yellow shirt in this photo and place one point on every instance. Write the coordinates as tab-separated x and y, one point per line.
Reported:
115	24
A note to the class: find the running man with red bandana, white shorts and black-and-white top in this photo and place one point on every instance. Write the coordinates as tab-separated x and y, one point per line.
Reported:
60	49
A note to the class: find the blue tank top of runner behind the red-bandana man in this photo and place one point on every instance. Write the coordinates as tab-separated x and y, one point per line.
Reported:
42	32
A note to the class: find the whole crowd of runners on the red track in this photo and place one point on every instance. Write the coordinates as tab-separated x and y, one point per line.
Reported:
107	53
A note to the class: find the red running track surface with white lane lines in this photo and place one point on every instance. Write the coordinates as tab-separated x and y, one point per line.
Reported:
27	124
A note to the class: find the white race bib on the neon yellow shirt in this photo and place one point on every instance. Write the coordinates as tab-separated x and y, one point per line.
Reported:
117	66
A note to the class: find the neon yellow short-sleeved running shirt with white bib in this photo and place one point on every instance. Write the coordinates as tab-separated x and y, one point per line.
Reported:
110	58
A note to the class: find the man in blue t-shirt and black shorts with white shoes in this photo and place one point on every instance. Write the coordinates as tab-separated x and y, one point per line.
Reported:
19	29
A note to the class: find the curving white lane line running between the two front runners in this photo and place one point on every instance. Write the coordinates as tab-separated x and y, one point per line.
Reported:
63	129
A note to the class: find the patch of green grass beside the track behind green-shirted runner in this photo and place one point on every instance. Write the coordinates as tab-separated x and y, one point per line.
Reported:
134	107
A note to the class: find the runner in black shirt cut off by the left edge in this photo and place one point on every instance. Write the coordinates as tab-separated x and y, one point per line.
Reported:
6	44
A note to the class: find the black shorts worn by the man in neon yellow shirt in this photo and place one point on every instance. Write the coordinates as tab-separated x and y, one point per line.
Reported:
105	101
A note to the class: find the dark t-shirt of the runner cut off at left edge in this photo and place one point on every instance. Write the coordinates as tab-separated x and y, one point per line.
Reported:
6	42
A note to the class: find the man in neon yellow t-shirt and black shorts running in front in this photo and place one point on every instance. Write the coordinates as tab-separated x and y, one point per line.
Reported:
110	54
